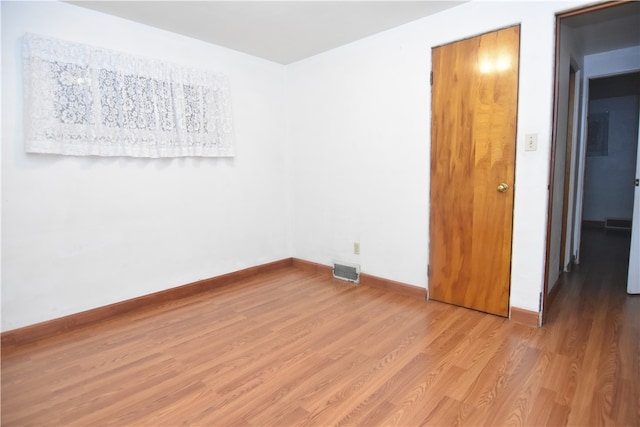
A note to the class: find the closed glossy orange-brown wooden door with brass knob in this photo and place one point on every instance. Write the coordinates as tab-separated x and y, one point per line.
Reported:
473	138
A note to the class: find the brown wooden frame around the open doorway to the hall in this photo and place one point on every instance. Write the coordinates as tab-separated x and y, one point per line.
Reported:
545	299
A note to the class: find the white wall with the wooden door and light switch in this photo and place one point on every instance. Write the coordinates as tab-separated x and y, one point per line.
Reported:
359	133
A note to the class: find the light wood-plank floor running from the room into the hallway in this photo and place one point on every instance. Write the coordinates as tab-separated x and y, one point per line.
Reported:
294	348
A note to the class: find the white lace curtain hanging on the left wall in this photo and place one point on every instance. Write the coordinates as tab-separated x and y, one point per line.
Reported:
81	100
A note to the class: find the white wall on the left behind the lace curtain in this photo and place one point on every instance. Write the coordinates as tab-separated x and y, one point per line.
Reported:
79	233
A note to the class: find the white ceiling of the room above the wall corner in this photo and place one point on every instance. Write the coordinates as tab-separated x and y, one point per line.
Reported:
280	31
